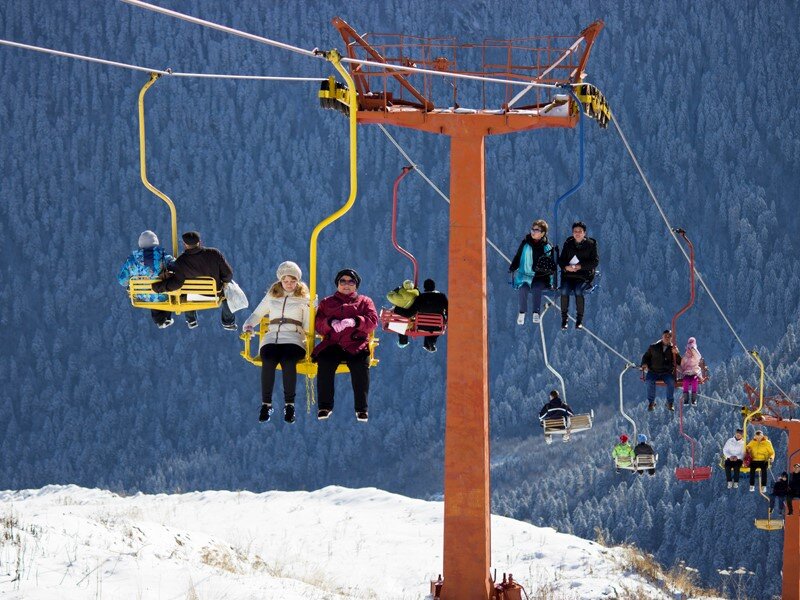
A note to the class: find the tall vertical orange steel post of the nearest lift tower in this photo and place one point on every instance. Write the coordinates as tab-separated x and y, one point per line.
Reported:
467	529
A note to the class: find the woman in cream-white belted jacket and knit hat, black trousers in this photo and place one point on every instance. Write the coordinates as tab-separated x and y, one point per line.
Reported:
286	304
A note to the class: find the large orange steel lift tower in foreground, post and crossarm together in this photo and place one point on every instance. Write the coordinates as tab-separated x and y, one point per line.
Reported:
468	111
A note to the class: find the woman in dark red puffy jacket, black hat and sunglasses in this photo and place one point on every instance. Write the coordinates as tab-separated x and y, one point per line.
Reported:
345	321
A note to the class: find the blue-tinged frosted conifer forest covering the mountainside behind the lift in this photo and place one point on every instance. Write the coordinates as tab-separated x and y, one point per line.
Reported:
93	394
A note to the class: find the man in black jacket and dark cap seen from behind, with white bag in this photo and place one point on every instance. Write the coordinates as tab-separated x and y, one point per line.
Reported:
197	261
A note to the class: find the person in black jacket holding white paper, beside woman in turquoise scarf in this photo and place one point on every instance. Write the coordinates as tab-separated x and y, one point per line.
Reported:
578	260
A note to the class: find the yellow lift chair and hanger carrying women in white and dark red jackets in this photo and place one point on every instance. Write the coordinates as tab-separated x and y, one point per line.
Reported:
330	98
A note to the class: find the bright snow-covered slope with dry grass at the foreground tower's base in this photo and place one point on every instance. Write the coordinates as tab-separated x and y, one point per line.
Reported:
68	542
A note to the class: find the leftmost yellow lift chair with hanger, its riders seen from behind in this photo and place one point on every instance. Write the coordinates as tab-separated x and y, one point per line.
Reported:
195	294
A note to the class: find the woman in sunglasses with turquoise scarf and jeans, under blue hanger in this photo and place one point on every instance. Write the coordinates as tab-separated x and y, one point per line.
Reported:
534	269
